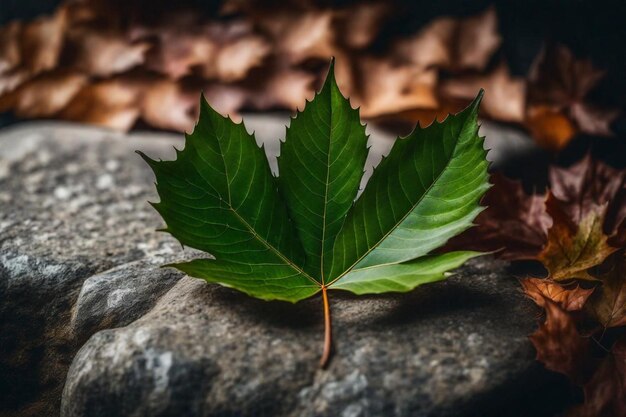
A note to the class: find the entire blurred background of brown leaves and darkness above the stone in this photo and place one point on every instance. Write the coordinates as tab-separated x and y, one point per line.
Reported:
553	69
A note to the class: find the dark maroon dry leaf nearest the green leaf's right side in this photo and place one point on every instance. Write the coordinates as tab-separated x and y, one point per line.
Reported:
513	221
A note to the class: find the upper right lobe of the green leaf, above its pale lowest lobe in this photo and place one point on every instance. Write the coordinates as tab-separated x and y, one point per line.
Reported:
425	192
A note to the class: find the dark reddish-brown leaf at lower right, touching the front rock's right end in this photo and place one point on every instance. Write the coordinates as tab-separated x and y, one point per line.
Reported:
559	345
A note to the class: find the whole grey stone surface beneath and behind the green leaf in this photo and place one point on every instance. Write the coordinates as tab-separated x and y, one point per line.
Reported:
79	254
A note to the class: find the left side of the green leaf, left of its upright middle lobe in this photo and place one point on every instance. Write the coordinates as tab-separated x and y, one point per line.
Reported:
219	196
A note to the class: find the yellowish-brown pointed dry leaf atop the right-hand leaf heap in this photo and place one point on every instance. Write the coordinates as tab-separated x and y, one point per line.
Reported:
573	248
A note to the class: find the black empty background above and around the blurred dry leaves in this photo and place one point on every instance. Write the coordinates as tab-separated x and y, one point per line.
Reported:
591	29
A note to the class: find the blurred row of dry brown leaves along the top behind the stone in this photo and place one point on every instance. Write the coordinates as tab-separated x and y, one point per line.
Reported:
93	61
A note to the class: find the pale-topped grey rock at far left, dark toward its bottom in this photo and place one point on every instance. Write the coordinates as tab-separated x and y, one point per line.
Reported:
72	204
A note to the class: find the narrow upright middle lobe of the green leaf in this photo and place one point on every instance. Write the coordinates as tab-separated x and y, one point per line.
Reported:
321	166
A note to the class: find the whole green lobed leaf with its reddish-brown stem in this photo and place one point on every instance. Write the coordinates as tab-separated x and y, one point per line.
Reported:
291	237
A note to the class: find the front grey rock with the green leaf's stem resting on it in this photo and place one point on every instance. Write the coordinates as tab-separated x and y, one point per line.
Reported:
203	350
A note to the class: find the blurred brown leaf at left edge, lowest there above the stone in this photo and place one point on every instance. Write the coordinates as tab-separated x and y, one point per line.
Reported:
45	95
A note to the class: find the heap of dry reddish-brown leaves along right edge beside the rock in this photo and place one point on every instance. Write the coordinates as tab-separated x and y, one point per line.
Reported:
578	232
